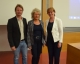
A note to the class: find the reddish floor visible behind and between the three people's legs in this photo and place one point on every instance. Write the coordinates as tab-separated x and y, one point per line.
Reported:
7	58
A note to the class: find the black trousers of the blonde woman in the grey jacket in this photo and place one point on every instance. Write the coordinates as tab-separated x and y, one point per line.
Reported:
36	51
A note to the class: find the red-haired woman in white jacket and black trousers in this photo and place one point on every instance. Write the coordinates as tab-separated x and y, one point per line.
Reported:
54	36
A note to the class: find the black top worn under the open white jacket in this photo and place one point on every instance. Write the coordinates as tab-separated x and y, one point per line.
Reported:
49	29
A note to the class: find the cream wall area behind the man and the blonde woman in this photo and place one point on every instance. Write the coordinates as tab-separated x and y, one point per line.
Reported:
7	9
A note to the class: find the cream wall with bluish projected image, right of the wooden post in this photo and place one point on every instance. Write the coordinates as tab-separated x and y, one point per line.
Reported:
62	8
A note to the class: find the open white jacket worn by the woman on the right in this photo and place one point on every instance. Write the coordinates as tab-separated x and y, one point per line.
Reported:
57	30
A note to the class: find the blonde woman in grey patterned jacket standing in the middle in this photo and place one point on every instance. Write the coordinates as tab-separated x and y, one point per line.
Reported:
35	35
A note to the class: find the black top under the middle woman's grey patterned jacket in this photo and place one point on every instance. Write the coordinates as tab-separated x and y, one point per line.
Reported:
37	30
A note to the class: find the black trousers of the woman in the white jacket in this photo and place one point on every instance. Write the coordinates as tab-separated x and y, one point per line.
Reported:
53	52
